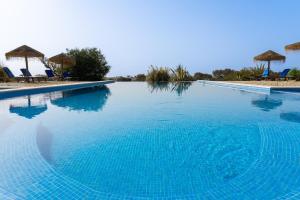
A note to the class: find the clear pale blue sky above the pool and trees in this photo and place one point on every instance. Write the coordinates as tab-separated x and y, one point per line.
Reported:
133	34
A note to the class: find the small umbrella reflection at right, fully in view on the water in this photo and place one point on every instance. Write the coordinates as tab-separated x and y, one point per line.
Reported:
267	103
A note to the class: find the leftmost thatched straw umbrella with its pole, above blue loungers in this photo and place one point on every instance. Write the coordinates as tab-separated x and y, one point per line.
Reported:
24	52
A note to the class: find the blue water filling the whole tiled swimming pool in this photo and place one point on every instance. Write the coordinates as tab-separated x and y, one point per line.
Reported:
140	141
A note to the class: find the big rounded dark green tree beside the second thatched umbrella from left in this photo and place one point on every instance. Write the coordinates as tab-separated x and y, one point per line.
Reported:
90	64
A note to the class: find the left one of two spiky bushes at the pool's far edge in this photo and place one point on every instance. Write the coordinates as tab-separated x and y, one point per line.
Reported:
158	74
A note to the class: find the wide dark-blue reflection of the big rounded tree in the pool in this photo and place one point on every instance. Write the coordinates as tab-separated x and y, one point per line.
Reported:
88	99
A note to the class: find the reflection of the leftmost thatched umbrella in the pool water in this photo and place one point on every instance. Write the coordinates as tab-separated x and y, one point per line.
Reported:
28	110
